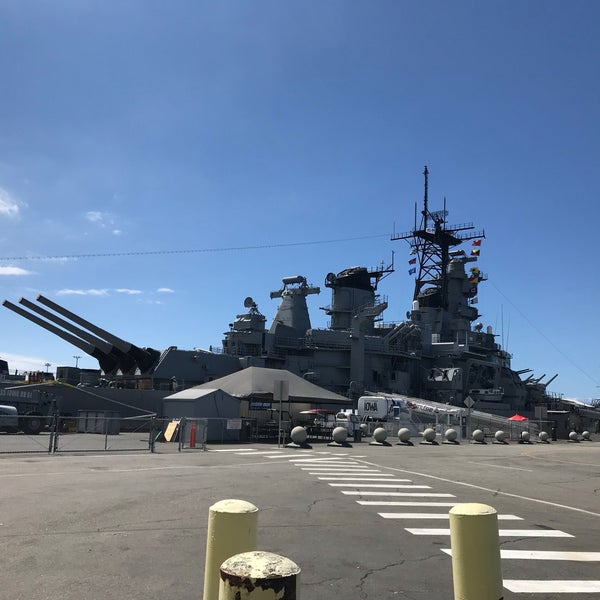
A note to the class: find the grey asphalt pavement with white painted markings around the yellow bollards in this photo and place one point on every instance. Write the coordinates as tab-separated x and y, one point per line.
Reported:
365	522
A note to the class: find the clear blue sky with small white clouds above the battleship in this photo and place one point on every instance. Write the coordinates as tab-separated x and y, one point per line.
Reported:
275	138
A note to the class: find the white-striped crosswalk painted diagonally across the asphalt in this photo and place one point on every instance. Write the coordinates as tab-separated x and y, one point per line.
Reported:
355	479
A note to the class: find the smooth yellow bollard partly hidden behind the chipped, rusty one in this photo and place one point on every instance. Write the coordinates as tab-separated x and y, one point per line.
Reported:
231	530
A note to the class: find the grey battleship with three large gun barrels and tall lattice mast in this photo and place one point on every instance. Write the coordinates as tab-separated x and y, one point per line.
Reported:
441	352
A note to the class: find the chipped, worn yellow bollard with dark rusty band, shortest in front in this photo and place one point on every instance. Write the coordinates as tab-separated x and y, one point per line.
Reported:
259	576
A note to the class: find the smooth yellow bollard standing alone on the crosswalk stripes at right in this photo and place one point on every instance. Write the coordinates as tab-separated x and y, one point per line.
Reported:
475	547
